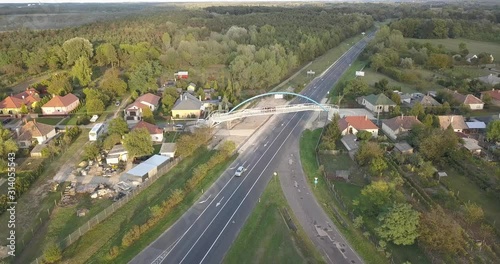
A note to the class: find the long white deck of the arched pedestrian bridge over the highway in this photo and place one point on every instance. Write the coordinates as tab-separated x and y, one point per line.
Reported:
217	117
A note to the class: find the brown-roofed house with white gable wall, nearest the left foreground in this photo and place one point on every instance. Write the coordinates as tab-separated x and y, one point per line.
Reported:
32	131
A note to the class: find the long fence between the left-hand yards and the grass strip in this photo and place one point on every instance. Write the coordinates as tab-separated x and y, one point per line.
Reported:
103	215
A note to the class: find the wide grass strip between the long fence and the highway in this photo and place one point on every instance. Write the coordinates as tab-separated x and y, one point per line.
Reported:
94	246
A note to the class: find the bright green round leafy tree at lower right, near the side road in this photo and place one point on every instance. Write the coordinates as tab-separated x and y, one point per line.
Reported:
399	225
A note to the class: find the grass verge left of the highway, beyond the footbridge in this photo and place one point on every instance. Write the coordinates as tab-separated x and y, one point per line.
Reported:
320	64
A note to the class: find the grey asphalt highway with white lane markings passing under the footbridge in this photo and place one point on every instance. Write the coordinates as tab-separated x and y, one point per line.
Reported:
206	231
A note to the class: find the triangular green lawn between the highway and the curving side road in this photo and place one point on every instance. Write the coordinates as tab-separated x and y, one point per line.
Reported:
266	238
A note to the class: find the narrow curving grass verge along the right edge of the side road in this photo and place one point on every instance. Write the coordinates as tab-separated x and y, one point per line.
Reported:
324	197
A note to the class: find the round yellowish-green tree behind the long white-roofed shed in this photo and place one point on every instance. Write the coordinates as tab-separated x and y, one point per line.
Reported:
138	143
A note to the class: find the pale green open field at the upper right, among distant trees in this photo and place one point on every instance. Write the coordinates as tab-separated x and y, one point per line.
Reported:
474	47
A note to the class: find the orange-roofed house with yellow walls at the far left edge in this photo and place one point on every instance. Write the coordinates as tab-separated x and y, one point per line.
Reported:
13	104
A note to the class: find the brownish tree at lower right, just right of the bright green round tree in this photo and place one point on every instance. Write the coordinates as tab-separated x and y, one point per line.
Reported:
439	232
